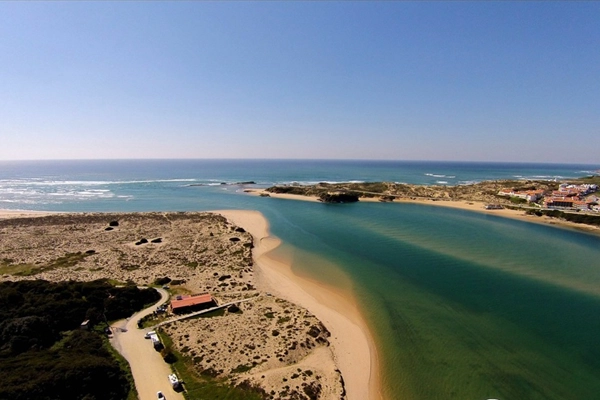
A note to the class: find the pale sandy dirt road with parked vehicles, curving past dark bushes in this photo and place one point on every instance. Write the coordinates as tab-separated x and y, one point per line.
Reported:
150	372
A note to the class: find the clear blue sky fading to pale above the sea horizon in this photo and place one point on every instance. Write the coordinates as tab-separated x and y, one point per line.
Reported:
473	81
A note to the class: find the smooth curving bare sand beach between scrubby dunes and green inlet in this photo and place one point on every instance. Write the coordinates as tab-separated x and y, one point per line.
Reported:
353	347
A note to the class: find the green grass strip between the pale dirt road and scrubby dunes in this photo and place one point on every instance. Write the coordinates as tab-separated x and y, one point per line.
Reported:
205	387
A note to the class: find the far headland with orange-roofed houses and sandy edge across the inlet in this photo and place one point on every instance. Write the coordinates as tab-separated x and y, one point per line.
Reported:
523	200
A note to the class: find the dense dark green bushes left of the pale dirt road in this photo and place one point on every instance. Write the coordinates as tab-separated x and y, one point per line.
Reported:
43	352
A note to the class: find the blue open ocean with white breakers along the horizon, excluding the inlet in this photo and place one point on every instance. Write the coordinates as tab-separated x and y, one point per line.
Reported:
137	185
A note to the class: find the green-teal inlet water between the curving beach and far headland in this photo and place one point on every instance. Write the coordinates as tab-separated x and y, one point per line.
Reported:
463	305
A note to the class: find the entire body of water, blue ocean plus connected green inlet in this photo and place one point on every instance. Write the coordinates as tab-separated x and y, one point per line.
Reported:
462	305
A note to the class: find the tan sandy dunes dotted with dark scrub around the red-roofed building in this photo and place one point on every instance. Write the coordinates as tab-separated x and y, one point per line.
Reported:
268	342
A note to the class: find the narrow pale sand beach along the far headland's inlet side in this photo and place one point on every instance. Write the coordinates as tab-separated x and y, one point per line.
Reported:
475	206
